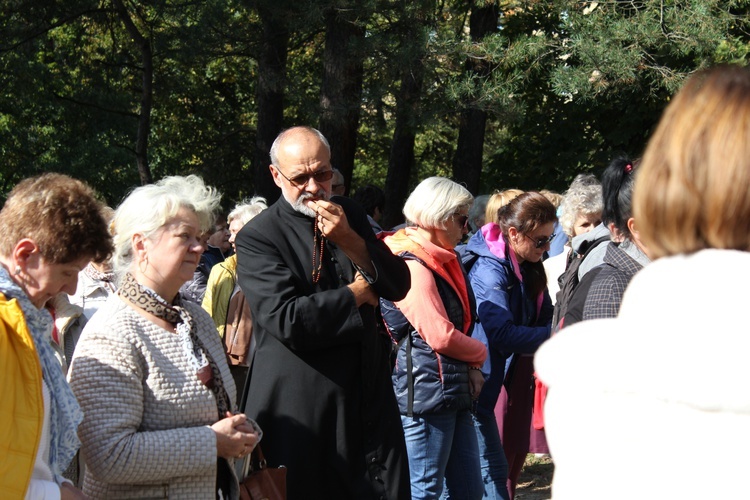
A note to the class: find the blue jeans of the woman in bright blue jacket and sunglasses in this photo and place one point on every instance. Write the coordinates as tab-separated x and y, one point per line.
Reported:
491	457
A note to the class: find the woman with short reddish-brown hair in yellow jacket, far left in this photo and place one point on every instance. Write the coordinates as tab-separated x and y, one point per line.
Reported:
51	226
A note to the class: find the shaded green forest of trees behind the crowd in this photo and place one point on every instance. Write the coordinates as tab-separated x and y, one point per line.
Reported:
494	94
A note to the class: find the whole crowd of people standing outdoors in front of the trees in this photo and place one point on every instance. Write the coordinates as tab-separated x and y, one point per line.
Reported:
147	350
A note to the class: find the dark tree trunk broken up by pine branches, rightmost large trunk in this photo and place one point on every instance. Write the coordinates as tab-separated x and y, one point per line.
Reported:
467	163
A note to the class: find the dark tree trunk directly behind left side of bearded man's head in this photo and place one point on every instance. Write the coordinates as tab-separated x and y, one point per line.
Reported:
270	98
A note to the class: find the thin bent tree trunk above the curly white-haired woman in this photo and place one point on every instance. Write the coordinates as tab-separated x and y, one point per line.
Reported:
147	92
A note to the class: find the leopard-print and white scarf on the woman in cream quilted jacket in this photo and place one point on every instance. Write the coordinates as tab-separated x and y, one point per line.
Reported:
205	367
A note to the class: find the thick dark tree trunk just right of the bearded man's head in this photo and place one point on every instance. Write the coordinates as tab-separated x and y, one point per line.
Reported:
341	89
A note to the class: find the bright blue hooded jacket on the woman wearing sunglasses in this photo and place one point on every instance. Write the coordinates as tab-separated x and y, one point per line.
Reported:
508	321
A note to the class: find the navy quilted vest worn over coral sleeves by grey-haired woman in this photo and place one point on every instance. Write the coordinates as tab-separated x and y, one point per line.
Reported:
425	381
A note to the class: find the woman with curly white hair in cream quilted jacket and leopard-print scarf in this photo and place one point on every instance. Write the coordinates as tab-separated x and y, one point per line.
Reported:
149	371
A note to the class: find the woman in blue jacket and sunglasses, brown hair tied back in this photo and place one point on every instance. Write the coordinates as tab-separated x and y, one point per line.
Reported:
515	312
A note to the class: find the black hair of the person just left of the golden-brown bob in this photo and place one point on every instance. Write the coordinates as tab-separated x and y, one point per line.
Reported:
618	180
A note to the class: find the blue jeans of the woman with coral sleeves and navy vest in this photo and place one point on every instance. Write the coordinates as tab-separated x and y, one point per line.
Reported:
443	453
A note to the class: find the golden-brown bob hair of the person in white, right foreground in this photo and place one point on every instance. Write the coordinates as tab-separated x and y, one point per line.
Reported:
699	161
